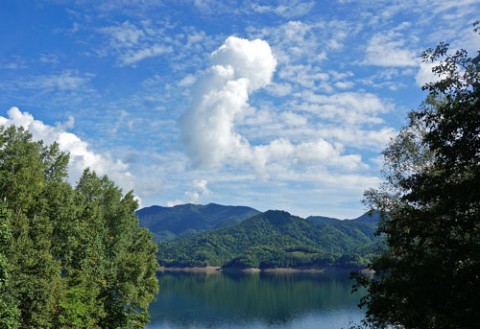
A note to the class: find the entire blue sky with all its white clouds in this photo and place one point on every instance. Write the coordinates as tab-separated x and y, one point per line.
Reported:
283	104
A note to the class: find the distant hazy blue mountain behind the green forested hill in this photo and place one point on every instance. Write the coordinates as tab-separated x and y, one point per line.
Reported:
170	222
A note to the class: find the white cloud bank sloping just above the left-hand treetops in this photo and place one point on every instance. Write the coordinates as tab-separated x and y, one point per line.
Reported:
81	156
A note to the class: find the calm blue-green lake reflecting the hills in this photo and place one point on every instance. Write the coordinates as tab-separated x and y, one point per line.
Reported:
243	301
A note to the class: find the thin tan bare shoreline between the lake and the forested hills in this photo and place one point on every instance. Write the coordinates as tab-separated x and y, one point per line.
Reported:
276	270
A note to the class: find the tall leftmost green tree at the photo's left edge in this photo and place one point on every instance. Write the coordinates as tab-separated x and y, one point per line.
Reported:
34	271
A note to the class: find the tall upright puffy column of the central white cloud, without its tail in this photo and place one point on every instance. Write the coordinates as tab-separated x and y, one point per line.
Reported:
220	96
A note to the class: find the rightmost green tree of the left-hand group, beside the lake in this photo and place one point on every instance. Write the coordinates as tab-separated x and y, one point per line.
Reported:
121	255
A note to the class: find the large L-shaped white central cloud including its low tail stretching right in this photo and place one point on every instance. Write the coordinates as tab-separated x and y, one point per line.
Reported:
220	99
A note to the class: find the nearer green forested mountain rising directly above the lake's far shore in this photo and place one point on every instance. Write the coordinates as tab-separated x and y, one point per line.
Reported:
275	239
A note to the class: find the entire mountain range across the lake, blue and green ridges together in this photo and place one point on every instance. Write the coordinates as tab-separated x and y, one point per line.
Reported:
191	235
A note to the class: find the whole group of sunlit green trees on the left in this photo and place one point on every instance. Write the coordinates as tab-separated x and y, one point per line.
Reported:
70	257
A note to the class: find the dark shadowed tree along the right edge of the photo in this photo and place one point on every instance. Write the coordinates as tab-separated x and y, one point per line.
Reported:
429	277
